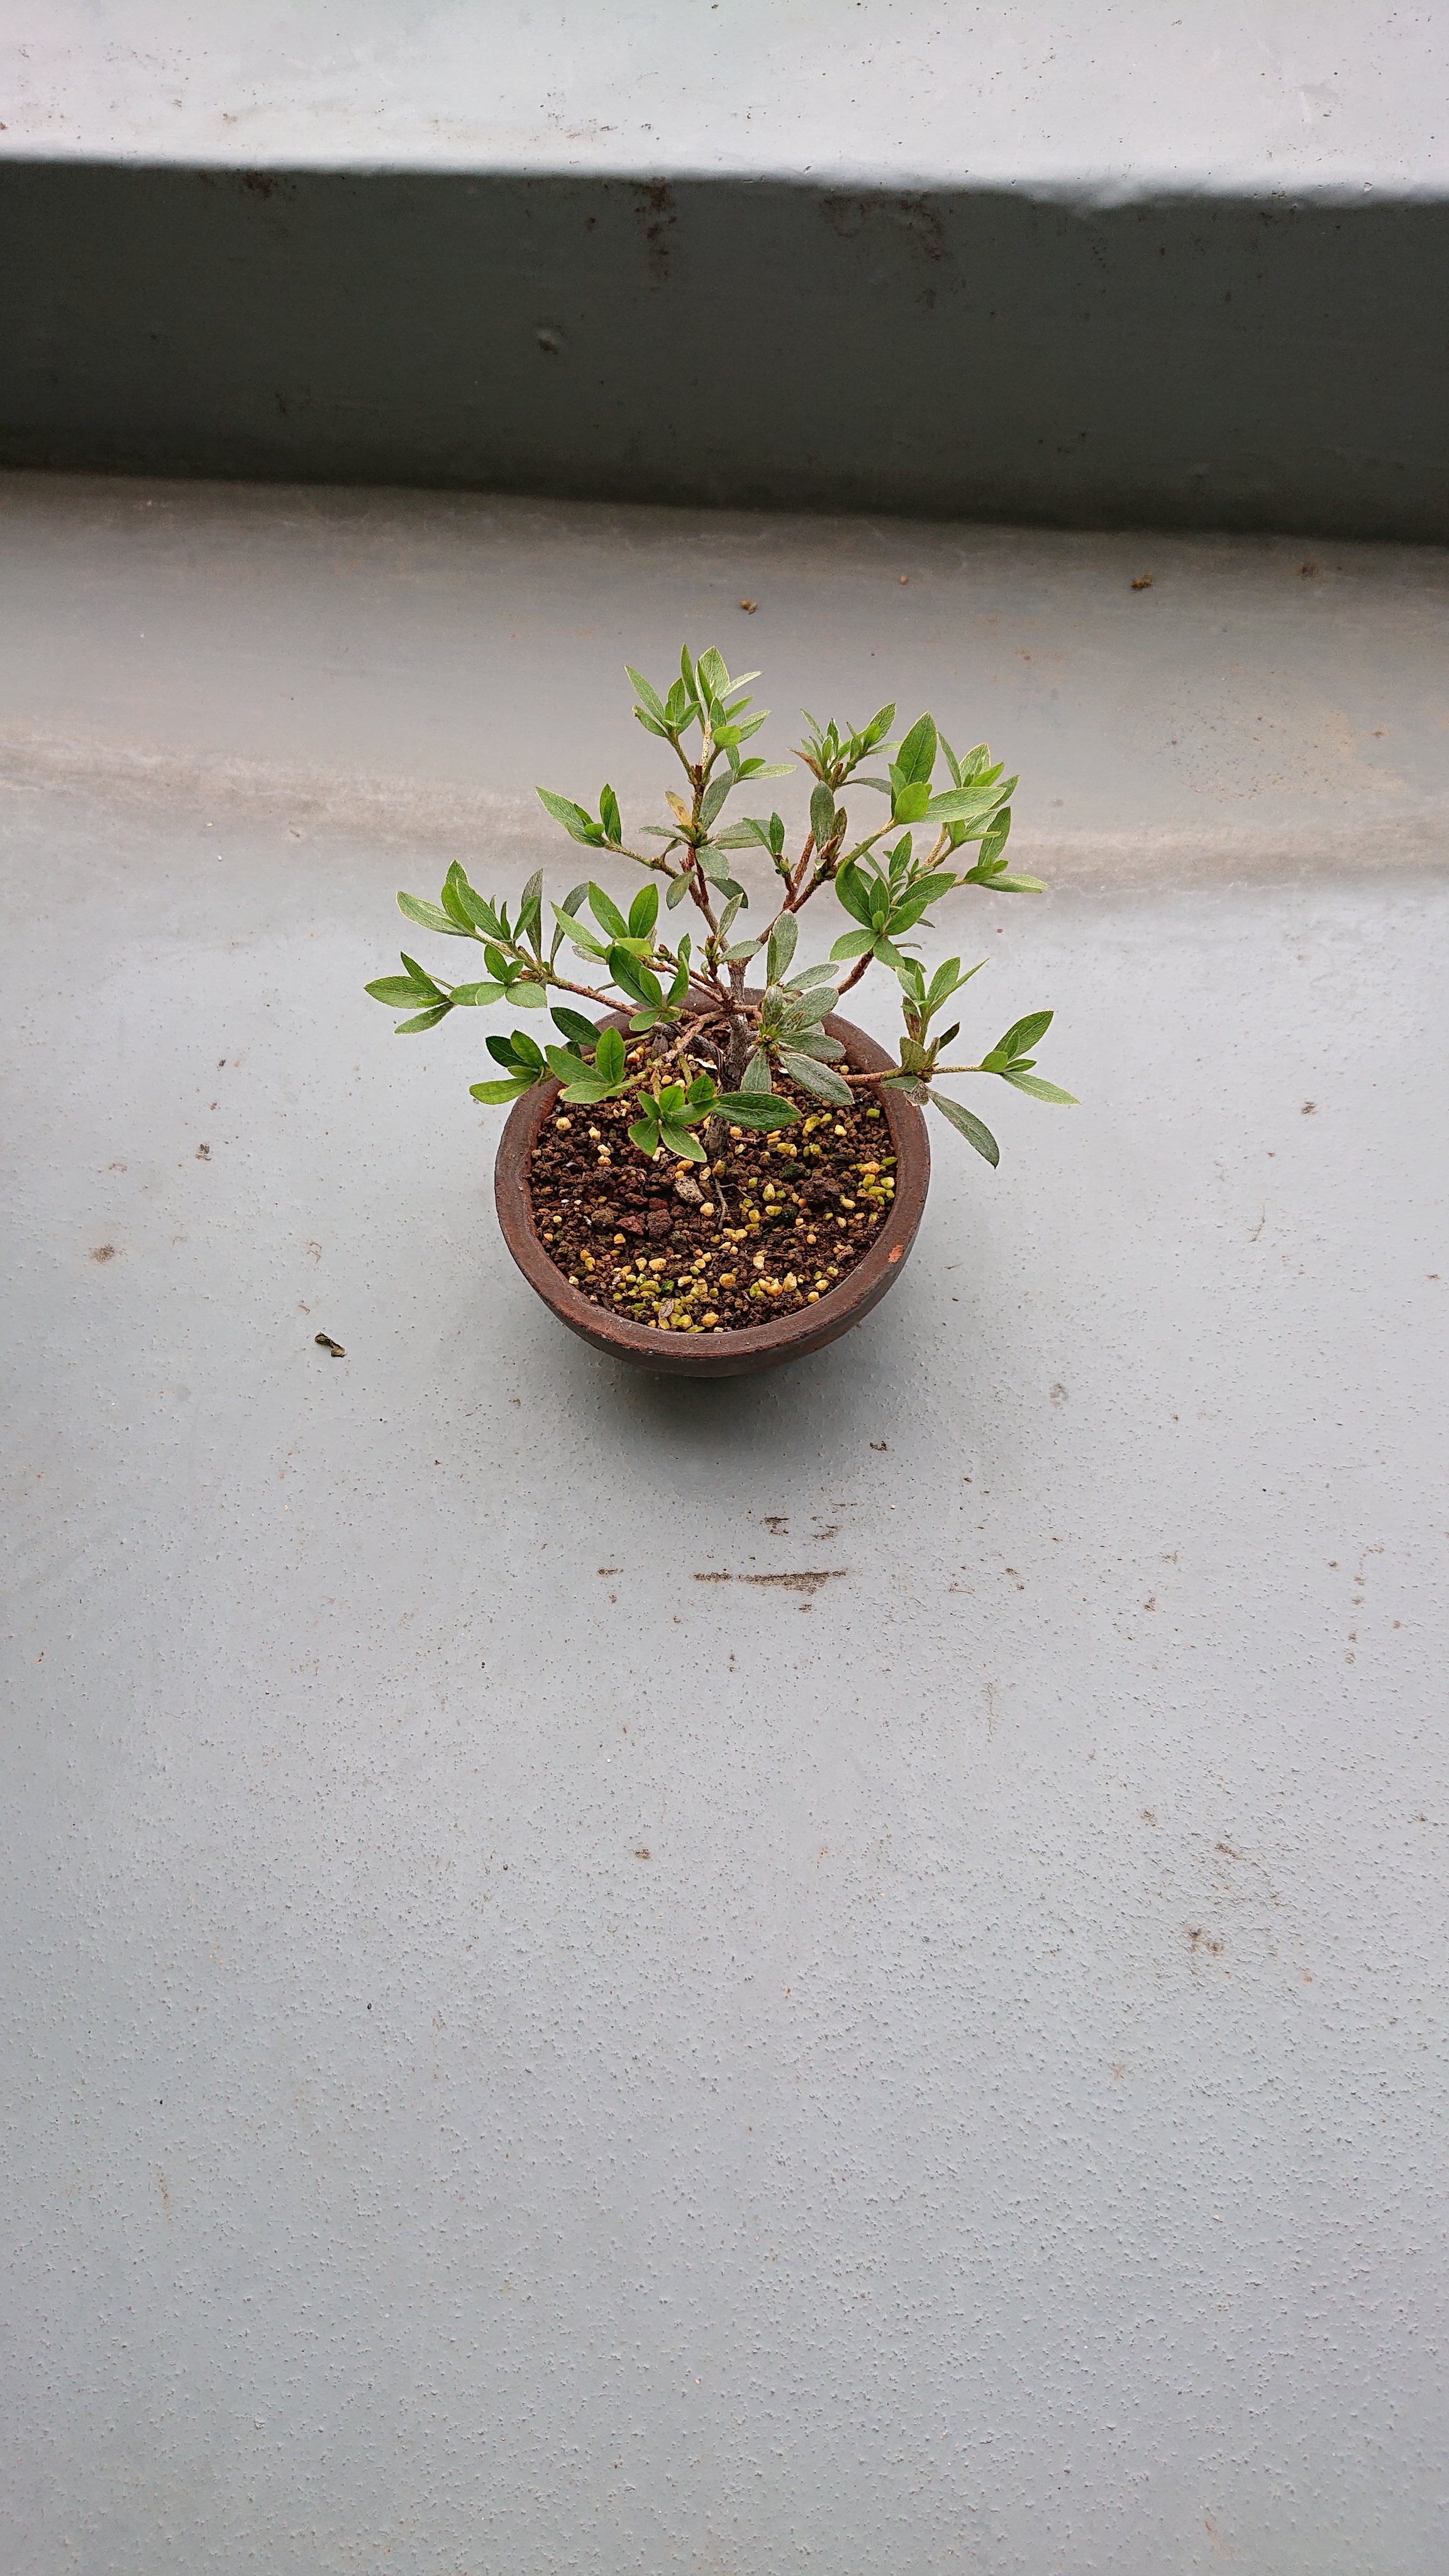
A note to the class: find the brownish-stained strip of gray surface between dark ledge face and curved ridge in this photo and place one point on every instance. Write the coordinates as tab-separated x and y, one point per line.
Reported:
409	666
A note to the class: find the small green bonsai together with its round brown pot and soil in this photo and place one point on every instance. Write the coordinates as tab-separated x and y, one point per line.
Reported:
713	1173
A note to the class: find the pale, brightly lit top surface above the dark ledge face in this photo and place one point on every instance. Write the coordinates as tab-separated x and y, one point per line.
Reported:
1110	99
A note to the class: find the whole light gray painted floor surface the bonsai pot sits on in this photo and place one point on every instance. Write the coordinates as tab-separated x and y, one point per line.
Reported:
522	2054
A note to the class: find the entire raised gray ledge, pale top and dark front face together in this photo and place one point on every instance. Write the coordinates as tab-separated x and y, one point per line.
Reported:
1087	269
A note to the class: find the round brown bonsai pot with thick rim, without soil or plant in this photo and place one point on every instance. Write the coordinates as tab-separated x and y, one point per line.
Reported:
759	1346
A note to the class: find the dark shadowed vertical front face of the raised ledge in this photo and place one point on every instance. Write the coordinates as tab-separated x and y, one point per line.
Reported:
948	352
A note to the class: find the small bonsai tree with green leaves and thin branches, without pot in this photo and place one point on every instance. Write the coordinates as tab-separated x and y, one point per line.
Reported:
715	1057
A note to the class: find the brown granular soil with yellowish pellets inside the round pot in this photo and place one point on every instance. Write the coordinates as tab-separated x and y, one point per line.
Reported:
762	1233
